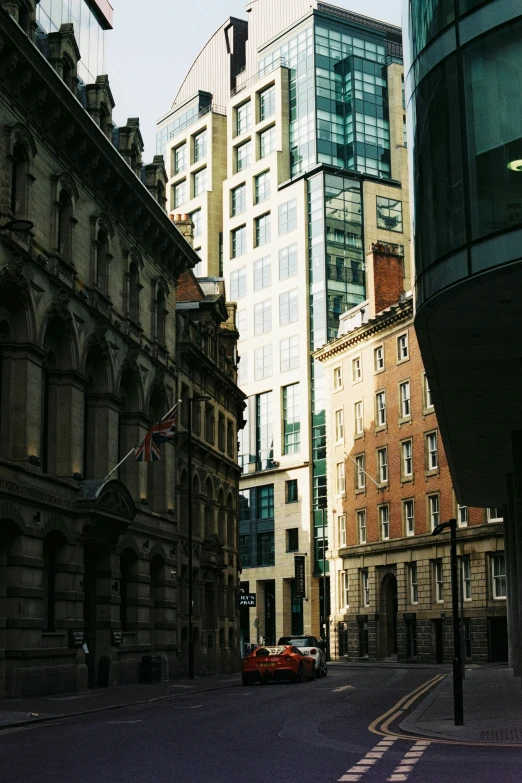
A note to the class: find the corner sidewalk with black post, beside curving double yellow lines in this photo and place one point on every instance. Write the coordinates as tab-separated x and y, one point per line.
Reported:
492	708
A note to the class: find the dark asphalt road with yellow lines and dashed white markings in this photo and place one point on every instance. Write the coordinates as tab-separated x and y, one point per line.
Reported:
314	732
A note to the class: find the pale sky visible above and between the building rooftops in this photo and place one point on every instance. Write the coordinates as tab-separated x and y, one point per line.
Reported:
154	43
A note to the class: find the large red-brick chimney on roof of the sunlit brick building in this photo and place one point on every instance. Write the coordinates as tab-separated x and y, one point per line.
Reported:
385	275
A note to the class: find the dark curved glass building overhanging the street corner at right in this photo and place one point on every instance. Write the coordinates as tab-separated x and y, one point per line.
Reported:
464	91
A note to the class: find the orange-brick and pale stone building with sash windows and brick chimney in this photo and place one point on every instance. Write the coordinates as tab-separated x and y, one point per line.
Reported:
389	486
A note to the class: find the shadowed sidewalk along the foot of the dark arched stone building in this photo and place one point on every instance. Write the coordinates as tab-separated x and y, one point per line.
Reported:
18	712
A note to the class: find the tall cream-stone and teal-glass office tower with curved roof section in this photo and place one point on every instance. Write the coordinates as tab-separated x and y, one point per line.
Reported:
286	146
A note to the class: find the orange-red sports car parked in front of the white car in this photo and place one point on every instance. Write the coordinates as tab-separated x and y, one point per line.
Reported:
284	662
